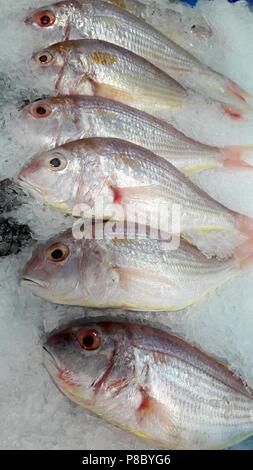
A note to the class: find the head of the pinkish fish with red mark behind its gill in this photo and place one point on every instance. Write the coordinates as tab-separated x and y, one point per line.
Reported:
53	176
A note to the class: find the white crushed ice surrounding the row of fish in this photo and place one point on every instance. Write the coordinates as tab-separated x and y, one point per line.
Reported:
33	412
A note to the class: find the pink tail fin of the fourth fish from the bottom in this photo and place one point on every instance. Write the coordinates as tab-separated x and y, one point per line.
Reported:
238	156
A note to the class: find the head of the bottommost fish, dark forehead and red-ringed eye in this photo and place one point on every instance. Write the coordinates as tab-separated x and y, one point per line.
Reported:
91	362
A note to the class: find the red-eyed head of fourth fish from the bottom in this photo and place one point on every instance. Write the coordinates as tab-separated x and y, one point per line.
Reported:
50	122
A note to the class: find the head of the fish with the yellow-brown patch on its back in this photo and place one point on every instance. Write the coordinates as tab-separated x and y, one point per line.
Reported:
67	65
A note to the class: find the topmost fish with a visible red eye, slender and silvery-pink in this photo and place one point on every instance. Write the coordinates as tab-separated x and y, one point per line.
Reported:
104	21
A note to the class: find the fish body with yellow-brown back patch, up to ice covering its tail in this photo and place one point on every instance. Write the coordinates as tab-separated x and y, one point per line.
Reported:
103	69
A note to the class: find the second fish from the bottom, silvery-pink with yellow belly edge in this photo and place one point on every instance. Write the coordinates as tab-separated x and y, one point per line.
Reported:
103	269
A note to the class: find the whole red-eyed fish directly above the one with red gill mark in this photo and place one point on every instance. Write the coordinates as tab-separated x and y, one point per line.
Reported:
54	121
